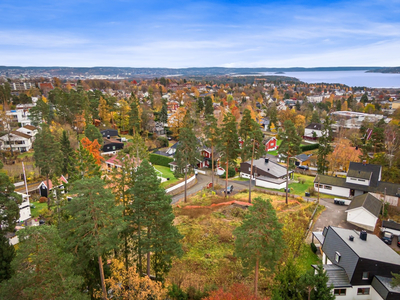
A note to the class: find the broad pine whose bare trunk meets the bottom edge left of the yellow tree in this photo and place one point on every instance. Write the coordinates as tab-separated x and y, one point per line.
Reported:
95	221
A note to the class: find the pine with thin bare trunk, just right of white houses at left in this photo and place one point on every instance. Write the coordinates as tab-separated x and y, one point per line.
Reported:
47	155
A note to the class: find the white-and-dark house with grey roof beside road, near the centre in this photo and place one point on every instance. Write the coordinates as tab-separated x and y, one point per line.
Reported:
266	173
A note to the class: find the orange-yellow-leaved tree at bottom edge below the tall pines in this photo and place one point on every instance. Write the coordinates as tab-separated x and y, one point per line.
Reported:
128	284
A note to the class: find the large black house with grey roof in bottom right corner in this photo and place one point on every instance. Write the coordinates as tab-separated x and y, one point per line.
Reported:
359	265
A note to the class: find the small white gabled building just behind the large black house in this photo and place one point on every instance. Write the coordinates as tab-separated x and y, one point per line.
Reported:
364	211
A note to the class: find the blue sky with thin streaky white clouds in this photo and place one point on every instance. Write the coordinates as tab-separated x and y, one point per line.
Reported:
153	33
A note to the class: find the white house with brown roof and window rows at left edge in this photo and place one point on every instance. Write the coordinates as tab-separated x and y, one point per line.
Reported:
19	139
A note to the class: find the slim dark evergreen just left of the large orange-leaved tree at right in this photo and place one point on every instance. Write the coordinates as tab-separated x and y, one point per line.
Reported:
325	148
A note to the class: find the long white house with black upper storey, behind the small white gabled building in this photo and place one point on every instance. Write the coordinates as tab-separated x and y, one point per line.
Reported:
361	178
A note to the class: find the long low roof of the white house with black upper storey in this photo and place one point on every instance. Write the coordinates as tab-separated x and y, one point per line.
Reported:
391	189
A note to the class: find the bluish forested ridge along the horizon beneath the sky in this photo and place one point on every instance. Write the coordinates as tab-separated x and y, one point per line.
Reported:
68	72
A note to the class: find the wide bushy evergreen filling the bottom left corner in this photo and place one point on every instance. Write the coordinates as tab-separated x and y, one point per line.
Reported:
42	270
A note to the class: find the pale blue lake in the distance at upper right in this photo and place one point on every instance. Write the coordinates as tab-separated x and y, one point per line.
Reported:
350	78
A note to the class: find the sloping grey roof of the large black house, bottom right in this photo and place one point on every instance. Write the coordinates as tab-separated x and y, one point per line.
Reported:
373	248
